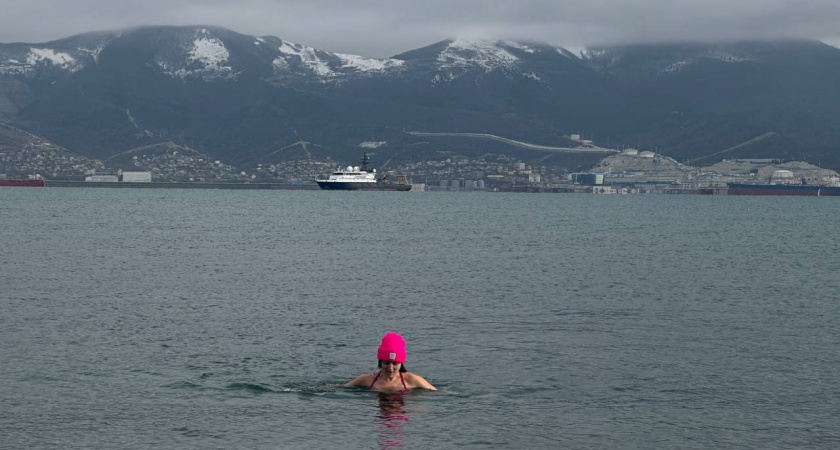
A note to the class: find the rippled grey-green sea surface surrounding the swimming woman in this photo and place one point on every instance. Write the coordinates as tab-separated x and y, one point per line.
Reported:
157	318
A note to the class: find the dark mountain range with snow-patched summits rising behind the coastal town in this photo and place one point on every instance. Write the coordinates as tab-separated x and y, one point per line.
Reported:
259	99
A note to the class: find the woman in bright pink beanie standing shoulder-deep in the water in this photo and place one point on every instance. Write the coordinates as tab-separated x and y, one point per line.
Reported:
392	375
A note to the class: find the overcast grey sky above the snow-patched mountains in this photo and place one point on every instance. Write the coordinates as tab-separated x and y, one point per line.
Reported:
379	28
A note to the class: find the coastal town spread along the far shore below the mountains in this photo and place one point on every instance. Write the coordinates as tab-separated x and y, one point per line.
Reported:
628	171
